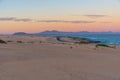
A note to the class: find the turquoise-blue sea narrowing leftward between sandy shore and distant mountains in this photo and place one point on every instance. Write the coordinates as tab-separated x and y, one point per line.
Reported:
106	38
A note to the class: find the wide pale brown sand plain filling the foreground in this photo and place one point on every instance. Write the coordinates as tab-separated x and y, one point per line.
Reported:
45	58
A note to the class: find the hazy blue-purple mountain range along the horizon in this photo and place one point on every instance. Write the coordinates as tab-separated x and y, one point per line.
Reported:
60	33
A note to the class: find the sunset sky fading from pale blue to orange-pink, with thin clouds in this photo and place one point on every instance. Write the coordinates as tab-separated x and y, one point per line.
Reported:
63	15
